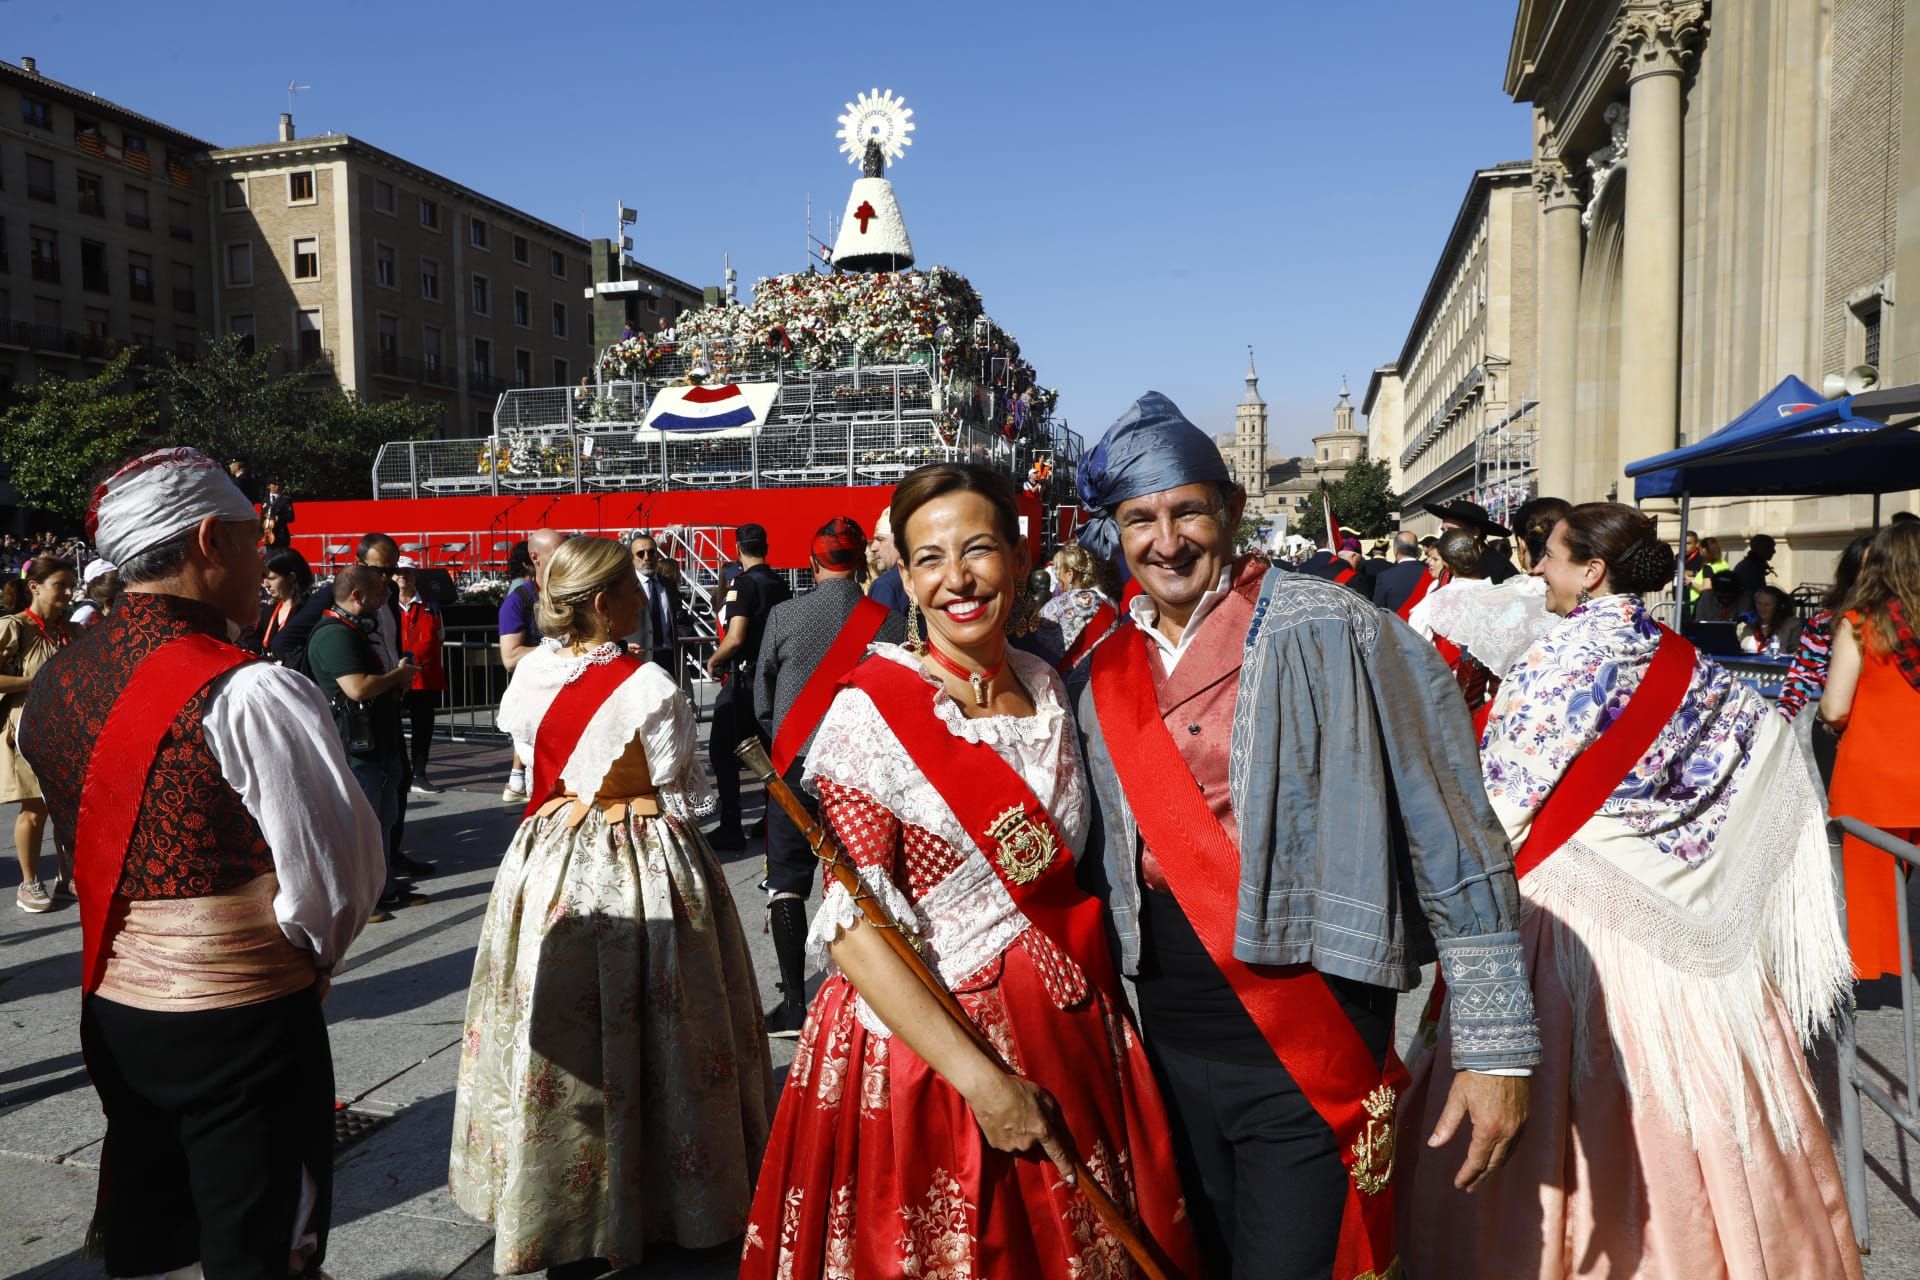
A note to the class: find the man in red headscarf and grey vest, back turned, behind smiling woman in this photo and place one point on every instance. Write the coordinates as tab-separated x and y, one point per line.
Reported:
811	644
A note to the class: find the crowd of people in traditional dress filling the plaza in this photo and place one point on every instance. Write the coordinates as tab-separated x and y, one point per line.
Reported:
1124	863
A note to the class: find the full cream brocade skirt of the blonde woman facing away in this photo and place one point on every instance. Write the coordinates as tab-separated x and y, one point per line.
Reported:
615	1087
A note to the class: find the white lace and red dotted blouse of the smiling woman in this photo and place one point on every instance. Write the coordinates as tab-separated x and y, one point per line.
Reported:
911	847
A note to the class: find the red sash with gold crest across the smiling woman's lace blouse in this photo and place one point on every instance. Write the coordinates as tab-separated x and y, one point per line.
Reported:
1003	817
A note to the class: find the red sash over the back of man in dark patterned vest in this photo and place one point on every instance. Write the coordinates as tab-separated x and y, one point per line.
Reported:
110	795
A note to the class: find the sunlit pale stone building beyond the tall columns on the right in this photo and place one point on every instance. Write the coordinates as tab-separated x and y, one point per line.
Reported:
1452	415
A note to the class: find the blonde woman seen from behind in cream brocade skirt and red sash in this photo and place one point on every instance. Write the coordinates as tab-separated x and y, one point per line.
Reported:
615	1087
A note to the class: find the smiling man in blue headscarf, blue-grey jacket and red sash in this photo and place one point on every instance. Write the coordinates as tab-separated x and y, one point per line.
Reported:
1270	913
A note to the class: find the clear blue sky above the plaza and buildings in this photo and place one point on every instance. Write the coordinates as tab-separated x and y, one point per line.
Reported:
1138	191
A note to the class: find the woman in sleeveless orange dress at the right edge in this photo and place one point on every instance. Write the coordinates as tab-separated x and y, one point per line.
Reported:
1873	701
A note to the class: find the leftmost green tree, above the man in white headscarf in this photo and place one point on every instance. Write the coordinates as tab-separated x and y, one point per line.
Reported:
68	429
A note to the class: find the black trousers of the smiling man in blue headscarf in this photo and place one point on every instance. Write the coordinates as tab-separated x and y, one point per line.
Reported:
1262	1172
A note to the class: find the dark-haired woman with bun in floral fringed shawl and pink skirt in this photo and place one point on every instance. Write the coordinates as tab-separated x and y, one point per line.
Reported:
1683	941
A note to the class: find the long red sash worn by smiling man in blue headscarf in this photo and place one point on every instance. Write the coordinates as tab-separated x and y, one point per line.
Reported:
1293	1005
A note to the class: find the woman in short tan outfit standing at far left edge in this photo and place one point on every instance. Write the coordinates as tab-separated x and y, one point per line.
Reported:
28	640
